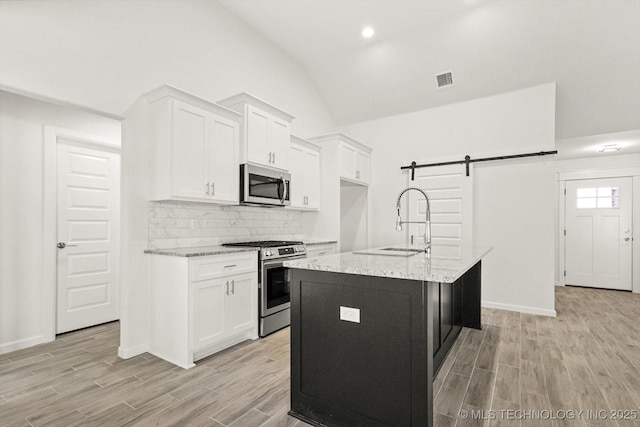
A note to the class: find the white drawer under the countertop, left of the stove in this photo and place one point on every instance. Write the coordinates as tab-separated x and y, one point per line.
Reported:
223	265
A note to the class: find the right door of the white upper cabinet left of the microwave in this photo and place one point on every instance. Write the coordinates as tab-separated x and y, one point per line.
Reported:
224	163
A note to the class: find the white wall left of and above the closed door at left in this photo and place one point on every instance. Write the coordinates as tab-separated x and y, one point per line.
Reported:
22	283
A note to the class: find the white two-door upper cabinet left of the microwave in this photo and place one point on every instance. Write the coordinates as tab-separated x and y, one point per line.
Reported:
196	145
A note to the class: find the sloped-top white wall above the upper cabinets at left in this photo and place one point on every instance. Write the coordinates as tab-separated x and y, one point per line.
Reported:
105	54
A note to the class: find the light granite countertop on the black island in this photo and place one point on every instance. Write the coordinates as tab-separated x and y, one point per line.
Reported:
446	263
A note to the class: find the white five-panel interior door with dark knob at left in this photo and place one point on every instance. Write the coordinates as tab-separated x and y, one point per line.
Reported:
88	197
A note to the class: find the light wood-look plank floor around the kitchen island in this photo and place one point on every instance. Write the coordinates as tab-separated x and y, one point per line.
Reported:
586	358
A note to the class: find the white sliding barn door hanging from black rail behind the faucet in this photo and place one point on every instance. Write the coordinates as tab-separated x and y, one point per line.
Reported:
450	194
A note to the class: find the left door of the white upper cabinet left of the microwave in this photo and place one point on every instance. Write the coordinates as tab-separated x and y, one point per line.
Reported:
189	151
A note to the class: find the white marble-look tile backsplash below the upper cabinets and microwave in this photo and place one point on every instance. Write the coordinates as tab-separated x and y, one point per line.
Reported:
183	224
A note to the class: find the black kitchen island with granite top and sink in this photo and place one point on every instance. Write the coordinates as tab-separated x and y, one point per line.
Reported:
370	330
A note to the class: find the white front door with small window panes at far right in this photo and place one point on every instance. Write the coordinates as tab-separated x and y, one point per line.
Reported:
598	233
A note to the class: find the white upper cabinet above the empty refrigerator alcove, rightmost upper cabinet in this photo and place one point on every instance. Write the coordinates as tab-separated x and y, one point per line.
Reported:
353	156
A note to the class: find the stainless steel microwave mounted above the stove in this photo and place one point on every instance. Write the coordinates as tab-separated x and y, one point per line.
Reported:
262	186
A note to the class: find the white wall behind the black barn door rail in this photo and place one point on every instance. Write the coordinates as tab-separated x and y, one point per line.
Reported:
513	200
